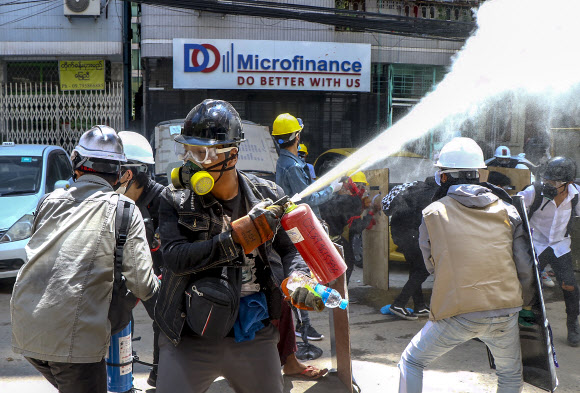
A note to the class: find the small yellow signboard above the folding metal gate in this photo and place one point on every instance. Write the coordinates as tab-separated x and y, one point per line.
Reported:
82	74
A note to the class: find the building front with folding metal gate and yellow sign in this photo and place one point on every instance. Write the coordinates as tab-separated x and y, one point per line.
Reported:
60	74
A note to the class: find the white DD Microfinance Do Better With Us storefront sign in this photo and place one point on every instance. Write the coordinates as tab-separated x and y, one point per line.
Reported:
271	65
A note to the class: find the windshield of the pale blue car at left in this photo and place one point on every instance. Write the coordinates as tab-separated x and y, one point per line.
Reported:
20	174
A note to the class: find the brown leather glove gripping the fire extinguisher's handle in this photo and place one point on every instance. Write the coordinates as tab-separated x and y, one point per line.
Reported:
258	226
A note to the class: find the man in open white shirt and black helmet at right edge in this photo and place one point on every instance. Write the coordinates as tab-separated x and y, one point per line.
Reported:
550	214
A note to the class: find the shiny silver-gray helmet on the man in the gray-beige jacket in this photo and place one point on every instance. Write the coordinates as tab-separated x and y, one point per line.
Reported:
100	149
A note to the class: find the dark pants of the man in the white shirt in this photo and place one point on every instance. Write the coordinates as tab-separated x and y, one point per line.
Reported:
564	271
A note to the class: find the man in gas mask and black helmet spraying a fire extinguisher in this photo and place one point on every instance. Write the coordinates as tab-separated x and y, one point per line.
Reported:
224	261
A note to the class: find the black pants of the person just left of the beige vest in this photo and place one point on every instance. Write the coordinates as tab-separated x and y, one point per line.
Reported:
417	275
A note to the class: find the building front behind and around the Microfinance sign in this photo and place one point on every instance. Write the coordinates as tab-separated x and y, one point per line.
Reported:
402	69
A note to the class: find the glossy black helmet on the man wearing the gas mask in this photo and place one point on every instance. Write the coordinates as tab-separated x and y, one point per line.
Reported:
213	122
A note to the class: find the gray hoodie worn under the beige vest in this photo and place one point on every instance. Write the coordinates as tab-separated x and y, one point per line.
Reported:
476	196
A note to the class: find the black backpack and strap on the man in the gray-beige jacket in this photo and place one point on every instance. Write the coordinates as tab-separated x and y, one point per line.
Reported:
123	301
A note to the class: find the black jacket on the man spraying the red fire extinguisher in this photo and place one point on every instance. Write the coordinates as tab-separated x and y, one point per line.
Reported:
193	242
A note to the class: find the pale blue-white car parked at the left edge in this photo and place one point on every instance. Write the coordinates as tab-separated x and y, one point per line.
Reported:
27	172
